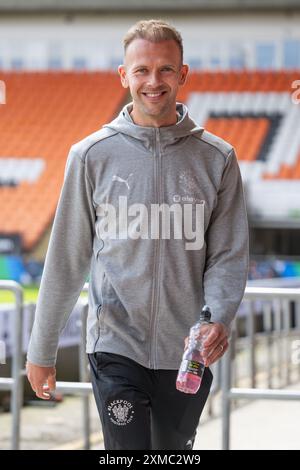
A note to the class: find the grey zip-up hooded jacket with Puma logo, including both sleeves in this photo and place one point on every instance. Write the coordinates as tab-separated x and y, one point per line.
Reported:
157	218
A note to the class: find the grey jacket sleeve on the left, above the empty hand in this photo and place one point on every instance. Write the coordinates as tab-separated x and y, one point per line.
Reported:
67	262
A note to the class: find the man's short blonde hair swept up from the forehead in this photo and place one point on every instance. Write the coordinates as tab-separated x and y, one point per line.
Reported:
153	31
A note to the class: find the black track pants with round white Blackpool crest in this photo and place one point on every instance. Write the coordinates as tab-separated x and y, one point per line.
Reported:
140	408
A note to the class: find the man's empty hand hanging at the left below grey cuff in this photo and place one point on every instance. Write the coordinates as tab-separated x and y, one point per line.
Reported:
42	380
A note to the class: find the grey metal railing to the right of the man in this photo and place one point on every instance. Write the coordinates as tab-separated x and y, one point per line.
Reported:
228	392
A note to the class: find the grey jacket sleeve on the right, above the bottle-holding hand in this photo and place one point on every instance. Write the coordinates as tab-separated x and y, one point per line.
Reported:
227	245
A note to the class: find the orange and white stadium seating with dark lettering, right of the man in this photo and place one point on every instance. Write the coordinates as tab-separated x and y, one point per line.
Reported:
253	110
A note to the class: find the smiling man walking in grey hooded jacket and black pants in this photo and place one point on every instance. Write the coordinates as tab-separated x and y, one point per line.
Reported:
152	206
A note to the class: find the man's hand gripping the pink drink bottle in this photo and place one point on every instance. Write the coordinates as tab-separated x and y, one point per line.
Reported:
215	344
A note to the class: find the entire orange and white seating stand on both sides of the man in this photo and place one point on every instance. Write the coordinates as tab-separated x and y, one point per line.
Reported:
49	111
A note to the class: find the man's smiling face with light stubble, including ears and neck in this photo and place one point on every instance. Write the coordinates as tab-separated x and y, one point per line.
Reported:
153	72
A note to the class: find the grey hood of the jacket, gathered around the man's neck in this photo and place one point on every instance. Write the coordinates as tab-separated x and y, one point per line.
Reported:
169	135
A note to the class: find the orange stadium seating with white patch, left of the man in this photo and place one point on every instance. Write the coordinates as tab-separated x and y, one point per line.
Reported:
47	113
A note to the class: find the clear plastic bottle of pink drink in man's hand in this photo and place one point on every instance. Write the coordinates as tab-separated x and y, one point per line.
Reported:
192	365
